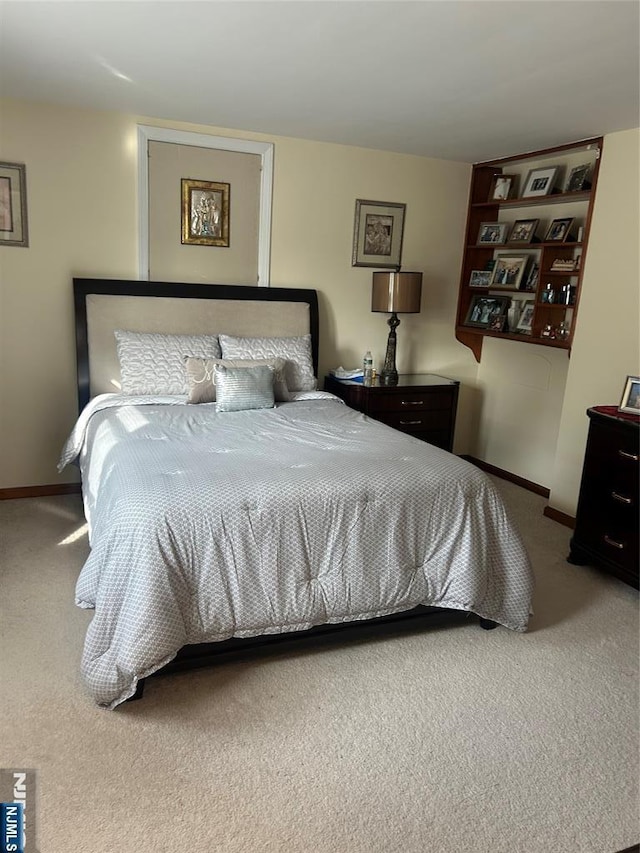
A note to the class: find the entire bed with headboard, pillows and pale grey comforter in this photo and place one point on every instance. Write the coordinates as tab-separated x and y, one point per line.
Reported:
268	512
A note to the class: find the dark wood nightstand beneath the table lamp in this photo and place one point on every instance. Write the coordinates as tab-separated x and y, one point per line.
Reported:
421	404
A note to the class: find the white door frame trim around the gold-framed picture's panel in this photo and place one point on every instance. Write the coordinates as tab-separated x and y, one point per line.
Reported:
147	133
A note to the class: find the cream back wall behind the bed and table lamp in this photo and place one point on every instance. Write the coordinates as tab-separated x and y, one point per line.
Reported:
81	176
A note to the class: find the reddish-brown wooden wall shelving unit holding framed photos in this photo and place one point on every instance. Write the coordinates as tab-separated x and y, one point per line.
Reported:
552	323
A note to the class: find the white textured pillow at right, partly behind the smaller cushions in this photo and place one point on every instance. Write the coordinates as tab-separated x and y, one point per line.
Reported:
296	351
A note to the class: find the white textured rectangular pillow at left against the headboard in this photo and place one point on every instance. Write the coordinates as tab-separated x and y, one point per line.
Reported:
153	363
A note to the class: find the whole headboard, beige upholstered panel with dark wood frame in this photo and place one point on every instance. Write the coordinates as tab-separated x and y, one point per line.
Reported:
102	306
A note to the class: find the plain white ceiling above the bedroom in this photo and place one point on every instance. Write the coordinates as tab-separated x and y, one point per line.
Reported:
463	80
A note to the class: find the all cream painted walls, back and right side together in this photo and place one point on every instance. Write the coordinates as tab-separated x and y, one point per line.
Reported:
514	412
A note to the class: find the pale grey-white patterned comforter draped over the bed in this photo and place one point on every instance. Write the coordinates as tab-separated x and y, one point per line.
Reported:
208	525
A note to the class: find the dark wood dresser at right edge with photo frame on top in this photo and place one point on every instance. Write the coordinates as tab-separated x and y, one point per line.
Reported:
606	532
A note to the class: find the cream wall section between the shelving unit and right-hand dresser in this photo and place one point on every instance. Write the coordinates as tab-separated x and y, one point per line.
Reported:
607	342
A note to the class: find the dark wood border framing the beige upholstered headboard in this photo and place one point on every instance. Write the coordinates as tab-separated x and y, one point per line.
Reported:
84	288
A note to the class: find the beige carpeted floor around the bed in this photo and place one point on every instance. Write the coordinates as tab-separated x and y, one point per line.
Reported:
451	739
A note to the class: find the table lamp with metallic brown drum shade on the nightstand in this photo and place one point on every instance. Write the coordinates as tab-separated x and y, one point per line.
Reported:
395	292
